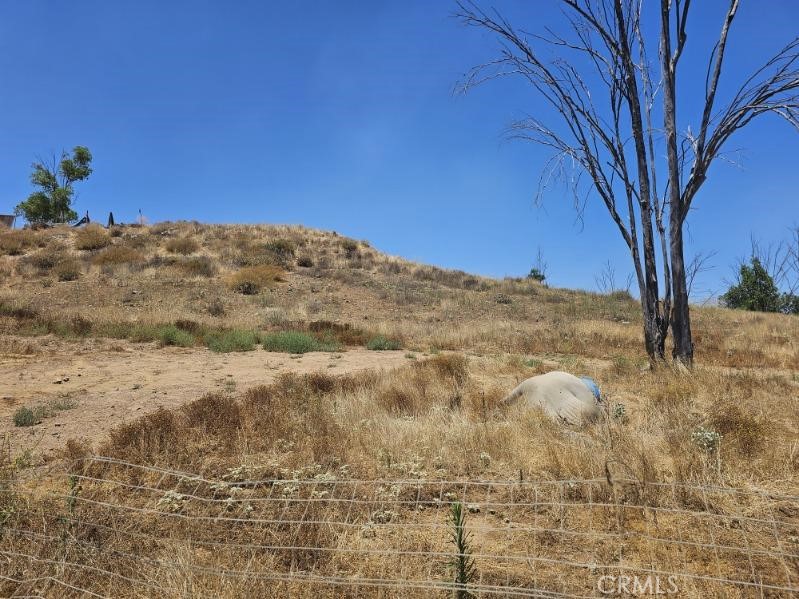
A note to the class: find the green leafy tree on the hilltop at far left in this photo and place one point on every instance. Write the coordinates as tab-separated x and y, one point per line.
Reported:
52	201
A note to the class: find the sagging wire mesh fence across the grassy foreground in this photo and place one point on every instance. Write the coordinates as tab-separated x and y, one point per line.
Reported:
115	528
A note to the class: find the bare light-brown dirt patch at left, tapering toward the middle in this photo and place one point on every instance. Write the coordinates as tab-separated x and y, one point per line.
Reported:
112	383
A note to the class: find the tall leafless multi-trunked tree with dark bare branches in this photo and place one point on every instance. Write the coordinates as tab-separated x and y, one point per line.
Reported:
605	96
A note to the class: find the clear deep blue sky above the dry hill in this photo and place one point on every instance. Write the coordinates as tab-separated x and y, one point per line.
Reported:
340	115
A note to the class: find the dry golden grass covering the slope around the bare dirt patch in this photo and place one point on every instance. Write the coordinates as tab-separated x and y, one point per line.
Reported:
434	420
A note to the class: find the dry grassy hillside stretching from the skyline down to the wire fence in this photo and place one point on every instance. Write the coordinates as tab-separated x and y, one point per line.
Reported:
175	507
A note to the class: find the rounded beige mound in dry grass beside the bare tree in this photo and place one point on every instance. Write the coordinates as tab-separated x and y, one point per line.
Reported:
561	395
